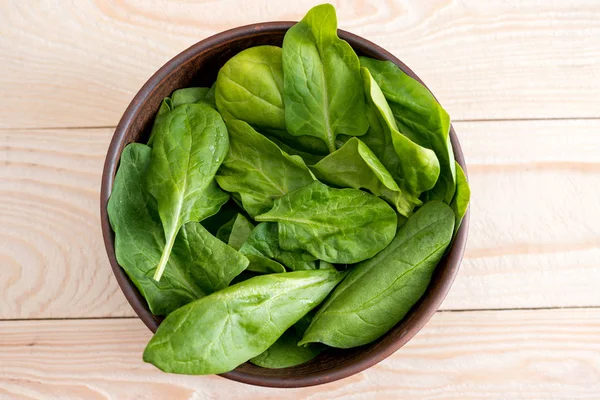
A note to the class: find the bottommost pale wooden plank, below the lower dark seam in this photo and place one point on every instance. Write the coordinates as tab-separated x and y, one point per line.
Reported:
458	355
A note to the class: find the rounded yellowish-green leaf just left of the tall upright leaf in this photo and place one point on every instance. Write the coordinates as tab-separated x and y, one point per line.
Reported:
249	88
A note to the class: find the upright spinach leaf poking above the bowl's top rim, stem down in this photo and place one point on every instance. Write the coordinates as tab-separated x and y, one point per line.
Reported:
323	93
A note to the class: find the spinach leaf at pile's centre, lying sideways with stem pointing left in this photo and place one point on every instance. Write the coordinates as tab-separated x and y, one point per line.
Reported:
335	225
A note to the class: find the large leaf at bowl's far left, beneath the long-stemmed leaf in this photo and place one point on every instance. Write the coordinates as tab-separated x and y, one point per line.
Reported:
139	240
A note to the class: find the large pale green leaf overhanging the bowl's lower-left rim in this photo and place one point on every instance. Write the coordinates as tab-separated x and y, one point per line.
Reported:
219	332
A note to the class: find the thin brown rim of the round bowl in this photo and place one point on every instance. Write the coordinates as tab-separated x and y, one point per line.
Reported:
426	307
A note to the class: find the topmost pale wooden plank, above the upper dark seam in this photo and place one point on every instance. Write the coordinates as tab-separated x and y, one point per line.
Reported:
80	65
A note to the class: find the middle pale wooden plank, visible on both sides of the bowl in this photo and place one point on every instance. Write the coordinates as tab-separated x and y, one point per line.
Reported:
534	238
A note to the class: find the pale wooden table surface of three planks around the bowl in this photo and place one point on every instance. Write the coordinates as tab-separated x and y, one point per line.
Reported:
521	80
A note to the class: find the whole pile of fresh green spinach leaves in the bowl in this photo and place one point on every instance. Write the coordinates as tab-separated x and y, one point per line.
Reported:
302	201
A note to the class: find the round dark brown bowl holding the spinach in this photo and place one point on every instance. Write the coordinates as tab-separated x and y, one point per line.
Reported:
198	66
